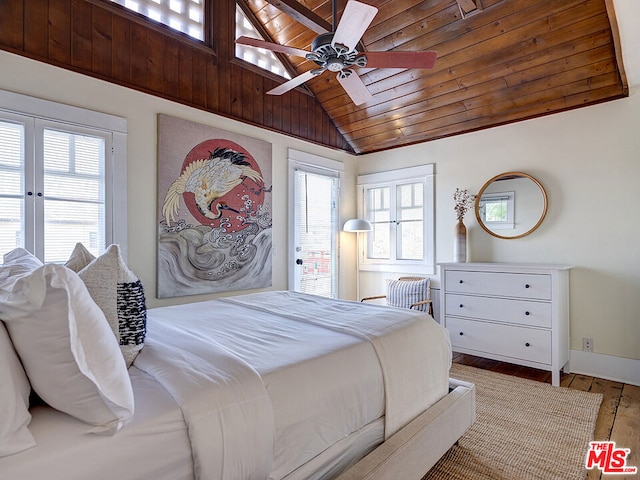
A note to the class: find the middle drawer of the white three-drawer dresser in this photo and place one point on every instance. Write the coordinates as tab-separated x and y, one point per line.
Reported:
521	312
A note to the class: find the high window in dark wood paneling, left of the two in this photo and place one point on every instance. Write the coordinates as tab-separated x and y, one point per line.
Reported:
185	16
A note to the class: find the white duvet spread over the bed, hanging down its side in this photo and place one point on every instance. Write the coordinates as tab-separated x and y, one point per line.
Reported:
267	382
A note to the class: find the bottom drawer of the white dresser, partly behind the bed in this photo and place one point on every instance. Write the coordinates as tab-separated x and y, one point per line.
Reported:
521	343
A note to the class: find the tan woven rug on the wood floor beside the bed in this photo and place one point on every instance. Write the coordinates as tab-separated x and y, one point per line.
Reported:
524	430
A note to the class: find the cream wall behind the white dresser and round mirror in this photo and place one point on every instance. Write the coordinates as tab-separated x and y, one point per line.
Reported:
588	161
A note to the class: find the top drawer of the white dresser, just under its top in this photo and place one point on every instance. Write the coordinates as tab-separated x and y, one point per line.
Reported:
517	285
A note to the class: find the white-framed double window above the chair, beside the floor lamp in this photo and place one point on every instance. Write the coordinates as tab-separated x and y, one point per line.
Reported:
399	205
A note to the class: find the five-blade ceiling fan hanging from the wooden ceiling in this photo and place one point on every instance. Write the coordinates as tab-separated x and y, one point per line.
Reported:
337	52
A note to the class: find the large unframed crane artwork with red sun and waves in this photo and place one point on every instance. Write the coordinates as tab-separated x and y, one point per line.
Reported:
214	210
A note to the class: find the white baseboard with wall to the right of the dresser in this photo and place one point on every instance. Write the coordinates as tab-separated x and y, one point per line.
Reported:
618	369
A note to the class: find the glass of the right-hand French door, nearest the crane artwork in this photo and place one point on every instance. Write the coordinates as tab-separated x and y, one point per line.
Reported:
74	201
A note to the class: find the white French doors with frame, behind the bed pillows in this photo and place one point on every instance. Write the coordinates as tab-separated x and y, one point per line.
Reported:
60	182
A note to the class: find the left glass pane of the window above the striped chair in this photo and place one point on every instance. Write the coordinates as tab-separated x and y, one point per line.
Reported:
379	214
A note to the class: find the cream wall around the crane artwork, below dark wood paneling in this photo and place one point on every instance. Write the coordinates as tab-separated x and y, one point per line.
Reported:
21	75
